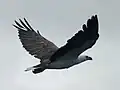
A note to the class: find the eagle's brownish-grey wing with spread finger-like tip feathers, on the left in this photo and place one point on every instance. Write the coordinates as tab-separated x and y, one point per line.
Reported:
34	42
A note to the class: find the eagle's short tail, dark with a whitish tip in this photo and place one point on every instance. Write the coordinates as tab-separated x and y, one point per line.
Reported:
36	69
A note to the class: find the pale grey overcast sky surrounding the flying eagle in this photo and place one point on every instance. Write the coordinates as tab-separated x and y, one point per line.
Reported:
59	20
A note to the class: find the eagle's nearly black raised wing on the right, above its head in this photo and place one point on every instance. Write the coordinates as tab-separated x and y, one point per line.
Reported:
81	41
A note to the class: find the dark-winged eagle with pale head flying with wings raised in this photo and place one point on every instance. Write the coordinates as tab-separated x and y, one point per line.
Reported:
53	57
